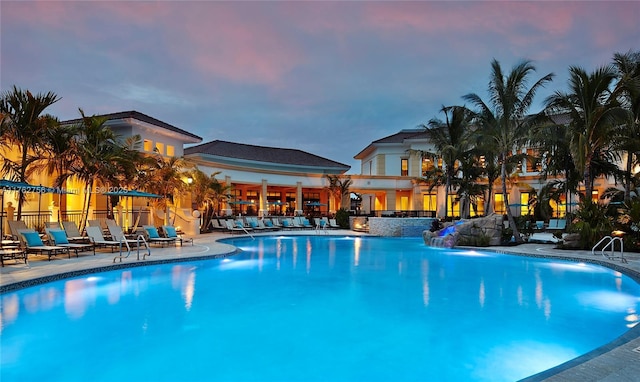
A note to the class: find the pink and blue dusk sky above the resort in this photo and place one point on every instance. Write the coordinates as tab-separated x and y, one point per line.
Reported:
324	77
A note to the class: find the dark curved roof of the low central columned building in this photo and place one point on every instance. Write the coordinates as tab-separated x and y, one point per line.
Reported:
263	154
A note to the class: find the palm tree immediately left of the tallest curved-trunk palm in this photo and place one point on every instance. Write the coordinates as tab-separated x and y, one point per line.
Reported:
451	140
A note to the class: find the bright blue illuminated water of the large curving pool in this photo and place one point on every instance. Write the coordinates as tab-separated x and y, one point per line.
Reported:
312	308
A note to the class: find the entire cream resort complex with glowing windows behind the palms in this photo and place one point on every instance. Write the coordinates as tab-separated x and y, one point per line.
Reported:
287	181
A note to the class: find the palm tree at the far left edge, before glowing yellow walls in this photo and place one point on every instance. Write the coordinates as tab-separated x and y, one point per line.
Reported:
24	127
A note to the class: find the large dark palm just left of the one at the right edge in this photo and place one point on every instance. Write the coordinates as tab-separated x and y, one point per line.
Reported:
594	112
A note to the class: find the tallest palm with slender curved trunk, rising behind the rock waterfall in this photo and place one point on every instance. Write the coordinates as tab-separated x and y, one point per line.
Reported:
504	119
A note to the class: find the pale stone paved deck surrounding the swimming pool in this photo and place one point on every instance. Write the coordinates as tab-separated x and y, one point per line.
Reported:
617	361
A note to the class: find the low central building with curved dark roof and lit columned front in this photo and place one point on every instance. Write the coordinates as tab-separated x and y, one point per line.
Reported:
268	180
